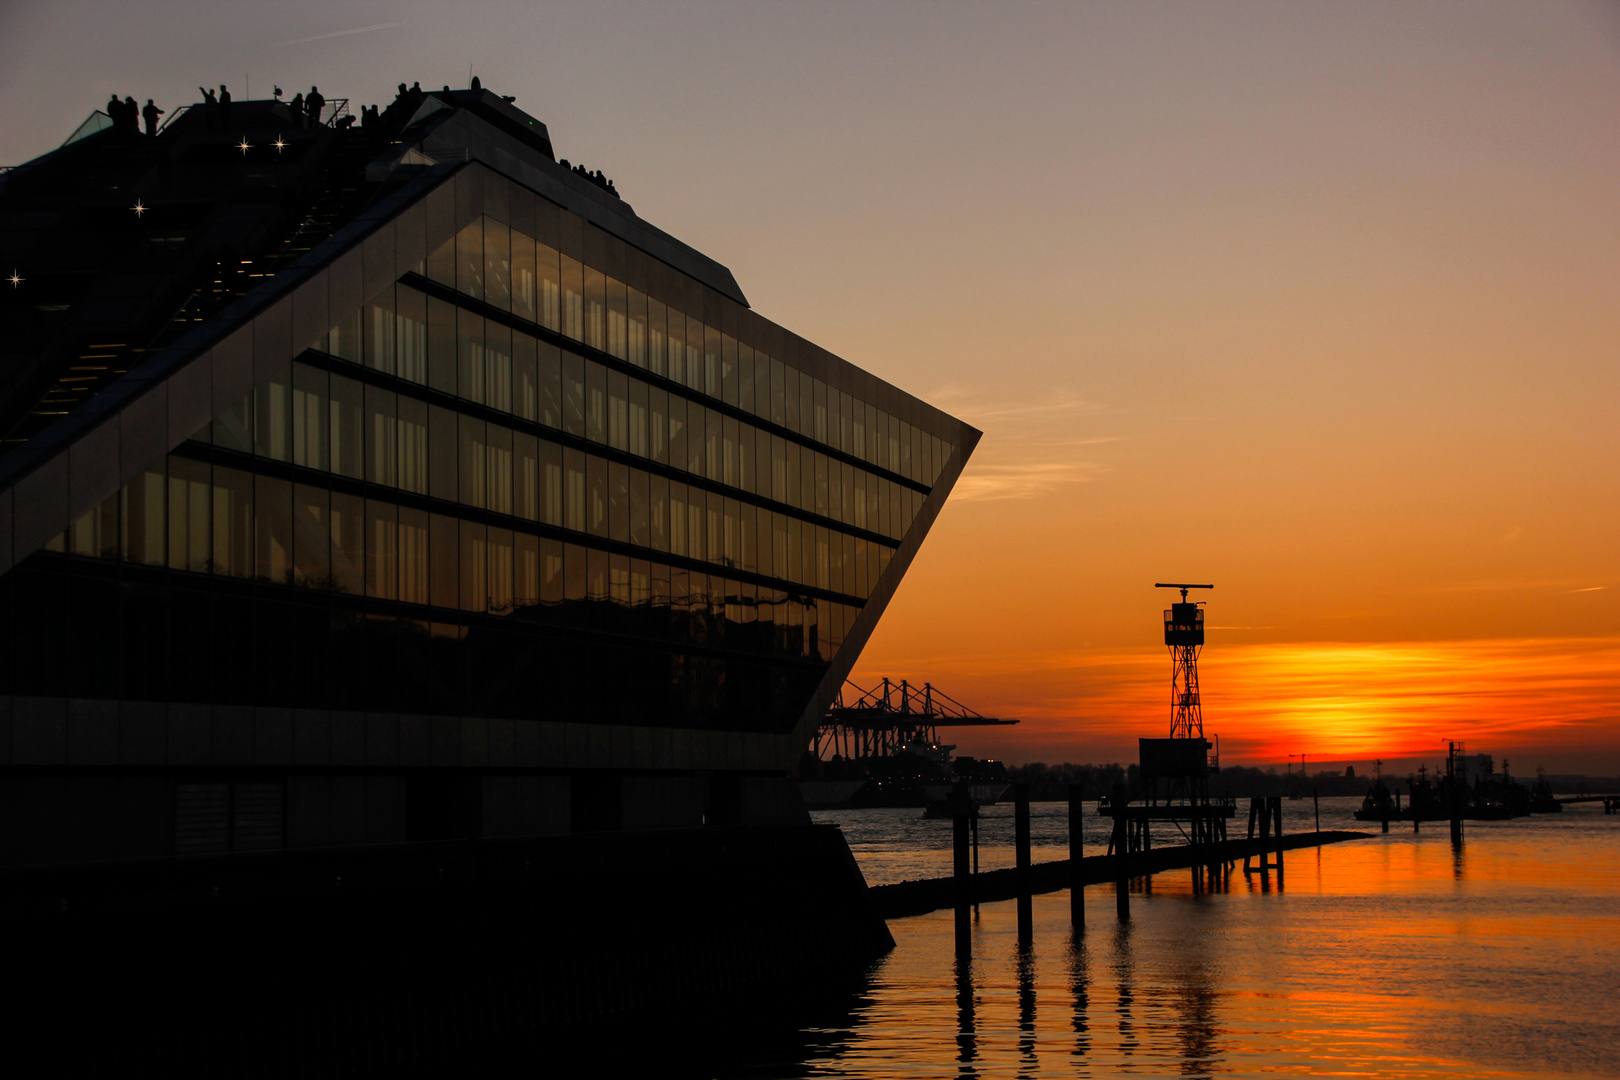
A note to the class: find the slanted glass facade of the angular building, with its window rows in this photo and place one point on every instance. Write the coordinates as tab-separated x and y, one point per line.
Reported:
506	483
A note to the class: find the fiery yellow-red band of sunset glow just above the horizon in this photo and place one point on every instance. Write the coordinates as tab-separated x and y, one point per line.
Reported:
1537	702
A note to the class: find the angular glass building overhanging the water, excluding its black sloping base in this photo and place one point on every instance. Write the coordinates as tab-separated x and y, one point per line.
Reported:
396	485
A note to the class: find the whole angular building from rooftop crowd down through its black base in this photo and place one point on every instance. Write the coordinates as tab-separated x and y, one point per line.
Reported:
409	555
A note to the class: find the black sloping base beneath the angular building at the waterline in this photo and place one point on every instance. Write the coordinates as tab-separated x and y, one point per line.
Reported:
438	956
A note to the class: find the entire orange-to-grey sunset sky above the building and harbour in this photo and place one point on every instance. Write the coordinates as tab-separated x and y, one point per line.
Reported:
1319	304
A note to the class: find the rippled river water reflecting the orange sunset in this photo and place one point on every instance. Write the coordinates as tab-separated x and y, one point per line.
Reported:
1383	958
